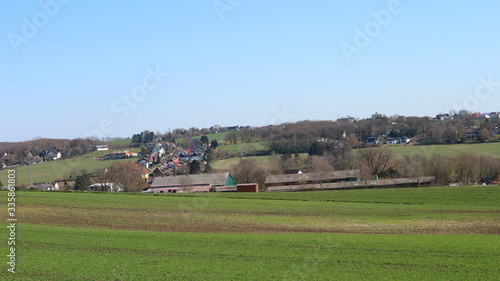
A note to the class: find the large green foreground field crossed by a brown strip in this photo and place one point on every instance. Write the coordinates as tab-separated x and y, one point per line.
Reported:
381	234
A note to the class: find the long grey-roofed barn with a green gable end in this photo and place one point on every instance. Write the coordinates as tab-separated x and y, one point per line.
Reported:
192	183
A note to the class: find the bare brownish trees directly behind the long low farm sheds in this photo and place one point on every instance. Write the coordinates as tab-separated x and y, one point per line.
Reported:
375	162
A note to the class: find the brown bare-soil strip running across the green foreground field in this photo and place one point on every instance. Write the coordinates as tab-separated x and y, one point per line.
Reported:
196	221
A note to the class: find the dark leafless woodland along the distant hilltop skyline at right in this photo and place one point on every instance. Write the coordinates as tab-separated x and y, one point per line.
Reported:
299	137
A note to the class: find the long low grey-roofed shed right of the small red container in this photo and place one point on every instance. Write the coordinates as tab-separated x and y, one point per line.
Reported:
312	178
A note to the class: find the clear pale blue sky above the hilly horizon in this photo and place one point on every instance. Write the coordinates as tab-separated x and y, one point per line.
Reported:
78	68
